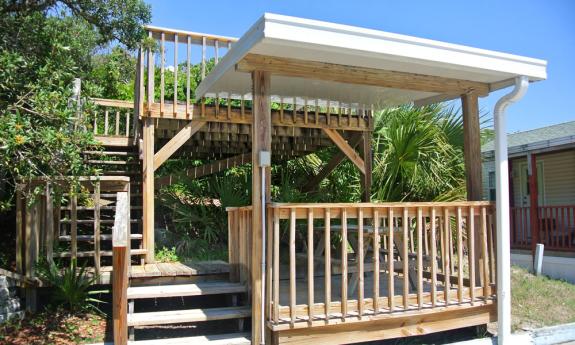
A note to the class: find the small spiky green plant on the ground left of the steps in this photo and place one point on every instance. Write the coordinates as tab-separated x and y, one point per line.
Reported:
71	284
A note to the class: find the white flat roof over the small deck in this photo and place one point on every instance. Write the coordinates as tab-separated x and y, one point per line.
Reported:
298	38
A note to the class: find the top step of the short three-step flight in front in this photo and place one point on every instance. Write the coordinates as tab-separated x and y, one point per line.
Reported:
198	289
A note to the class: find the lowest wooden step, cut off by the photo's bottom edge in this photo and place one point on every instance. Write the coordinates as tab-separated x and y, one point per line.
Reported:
217	339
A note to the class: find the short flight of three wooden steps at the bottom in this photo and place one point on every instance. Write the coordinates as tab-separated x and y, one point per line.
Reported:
233	293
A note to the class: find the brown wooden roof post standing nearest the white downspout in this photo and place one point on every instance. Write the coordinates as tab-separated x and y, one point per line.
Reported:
472	155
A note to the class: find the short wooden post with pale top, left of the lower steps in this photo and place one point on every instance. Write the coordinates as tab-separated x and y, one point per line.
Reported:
120	269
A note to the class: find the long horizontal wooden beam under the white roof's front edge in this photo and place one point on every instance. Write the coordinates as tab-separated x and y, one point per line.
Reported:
358	75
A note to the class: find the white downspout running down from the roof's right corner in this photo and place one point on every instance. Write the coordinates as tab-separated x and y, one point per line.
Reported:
503	231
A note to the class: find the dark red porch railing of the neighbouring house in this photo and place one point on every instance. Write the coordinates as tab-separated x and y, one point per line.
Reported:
555	227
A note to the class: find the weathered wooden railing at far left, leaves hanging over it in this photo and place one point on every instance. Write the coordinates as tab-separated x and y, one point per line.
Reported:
67	220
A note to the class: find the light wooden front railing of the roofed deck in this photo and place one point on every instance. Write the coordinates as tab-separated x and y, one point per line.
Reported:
328	262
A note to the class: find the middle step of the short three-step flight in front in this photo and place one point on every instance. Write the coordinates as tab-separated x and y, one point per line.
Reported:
187	316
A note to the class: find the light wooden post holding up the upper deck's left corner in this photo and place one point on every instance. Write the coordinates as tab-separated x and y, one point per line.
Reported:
148	188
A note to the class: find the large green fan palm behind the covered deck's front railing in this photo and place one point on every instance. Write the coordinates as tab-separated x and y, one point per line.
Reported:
417	154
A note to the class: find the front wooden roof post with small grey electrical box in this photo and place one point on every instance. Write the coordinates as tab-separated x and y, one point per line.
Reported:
261	141
